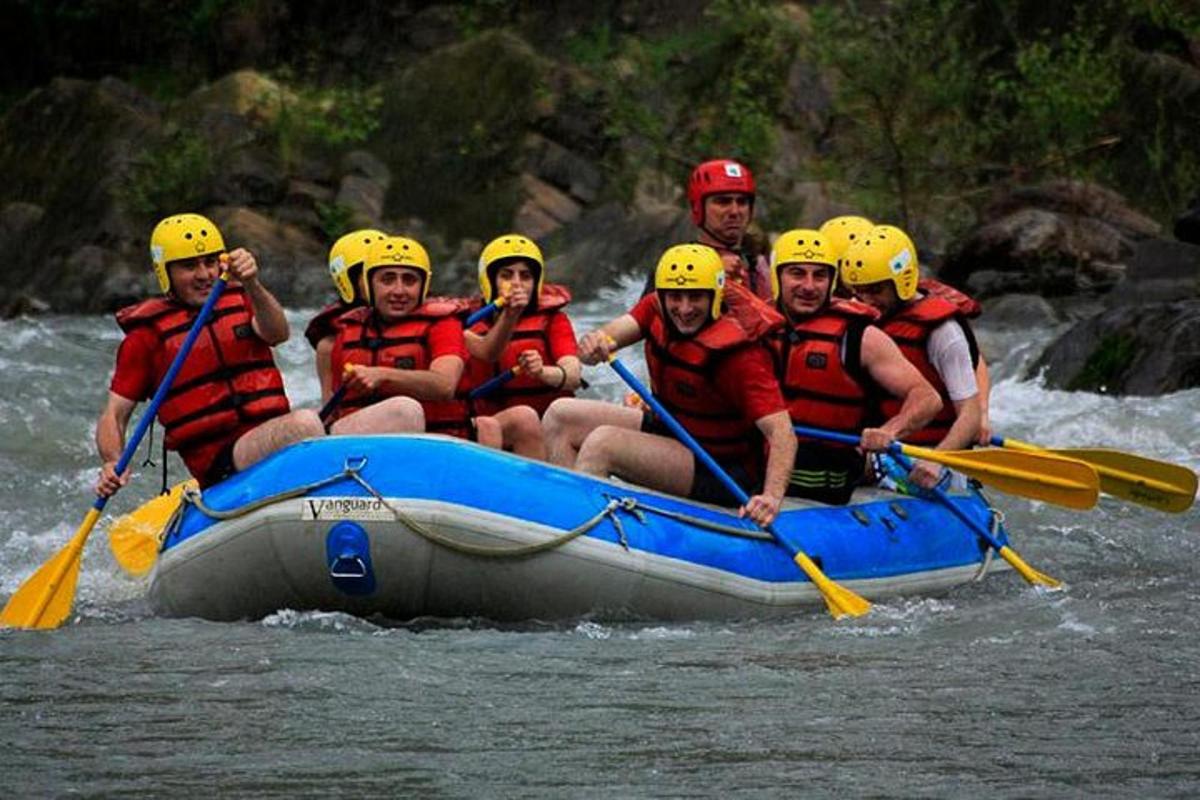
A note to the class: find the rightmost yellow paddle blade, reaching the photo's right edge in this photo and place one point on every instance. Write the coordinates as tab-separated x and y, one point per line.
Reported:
1156	484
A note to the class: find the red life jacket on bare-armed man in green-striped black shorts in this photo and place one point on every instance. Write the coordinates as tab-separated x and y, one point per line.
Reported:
823	389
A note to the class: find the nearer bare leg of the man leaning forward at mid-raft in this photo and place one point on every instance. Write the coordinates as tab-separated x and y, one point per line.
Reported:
644	459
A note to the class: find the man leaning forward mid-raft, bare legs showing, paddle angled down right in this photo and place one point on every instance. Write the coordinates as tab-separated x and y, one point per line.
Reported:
710	371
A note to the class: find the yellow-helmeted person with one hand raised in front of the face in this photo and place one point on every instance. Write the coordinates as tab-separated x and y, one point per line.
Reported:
531	334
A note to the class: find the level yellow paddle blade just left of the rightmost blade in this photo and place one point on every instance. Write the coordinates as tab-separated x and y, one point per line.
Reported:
1039	477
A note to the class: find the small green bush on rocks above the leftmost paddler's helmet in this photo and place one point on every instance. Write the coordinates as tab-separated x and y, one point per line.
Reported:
176	173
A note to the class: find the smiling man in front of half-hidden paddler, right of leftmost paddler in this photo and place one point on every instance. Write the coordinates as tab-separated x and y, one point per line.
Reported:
405	350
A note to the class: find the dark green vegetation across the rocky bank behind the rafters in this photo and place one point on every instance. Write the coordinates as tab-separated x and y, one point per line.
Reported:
914	111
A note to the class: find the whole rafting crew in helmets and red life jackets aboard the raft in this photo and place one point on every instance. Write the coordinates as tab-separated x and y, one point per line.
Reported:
833	330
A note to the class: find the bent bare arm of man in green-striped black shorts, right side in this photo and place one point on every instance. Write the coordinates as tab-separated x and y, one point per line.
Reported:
897	376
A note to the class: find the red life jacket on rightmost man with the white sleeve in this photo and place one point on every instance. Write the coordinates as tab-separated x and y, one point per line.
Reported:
911	328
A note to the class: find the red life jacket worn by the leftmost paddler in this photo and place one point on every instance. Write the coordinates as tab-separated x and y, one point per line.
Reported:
229	383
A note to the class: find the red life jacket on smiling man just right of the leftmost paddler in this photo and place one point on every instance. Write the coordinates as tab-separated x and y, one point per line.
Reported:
404	345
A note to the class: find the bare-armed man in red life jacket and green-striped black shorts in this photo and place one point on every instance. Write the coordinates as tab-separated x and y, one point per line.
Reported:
833	365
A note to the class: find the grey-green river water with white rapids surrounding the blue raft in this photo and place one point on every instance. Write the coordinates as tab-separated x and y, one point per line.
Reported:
998	688
